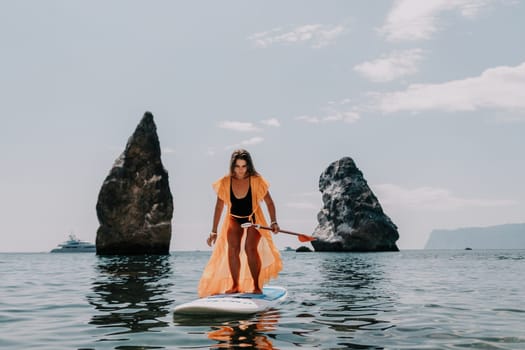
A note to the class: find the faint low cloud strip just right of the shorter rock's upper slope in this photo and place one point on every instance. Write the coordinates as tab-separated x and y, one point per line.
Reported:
431	198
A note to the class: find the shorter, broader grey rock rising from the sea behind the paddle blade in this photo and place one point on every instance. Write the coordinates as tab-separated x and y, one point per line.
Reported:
352	218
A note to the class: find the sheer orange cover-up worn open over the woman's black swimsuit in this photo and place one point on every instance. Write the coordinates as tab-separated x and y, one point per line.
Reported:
216	277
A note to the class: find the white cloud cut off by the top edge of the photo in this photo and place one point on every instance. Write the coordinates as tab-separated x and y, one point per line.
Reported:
411	20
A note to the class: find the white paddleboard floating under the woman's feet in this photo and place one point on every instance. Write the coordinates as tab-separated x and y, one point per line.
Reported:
237	303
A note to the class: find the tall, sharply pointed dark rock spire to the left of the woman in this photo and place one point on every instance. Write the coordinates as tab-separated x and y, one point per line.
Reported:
135	205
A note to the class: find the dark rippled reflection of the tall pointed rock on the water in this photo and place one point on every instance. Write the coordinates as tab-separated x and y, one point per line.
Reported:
130	293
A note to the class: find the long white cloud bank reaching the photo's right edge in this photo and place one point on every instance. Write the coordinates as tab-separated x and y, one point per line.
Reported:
498	88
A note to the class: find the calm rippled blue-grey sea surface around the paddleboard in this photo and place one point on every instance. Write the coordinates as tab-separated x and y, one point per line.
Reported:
415	299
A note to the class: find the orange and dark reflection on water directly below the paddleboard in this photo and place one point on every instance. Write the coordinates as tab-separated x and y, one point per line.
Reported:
254	332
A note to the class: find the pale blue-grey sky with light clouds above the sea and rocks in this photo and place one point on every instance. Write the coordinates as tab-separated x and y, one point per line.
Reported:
427	97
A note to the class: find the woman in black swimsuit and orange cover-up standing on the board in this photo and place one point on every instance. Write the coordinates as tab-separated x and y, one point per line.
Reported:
244	259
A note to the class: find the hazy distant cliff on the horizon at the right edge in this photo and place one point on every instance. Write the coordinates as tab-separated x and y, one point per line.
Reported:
509	236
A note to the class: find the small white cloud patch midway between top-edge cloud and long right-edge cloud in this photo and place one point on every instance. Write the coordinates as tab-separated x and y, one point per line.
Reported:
392	66
